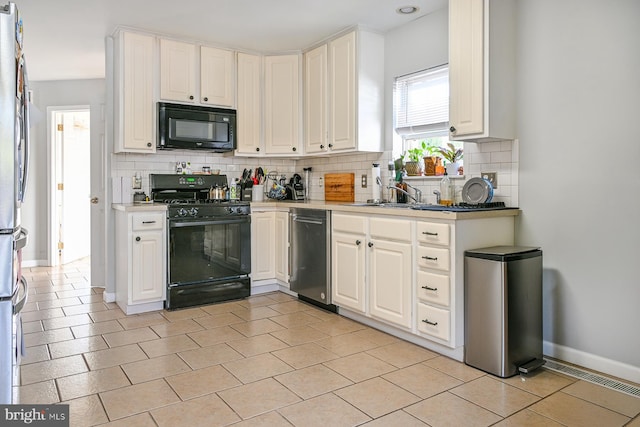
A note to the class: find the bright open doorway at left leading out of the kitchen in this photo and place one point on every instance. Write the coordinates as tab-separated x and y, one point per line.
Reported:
70	185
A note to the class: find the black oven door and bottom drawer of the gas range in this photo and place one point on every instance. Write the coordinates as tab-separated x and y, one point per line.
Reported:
208	260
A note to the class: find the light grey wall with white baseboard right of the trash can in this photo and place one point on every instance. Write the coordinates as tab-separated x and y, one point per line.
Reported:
578	103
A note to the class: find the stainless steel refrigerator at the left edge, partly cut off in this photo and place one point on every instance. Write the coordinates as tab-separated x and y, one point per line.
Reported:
14	159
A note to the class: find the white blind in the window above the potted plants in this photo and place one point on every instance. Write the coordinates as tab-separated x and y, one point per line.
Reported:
421	101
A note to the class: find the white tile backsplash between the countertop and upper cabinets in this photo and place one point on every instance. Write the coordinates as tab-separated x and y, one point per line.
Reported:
498	156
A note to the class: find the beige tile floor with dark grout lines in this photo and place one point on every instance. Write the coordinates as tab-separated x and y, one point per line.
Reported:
269	360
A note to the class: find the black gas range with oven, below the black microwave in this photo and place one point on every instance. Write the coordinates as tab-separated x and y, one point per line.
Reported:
209	240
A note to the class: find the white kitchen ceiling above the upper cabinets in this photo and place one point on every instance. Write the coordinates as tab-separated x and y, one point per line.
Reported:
64	39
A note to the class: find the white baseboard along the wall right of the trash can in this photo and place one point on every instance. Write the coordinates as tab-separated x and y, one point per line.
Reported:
592	361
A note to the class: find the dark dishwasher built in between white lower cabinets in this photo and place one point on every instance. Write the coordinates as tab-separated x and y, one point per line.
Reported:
310	256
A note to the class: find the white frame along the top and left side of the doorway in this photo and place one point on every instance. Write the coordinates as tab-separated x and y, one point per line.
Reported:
52	246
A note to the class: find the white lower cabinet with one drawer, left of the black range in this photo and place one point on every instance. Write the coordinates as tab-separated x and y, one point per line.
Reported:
140	261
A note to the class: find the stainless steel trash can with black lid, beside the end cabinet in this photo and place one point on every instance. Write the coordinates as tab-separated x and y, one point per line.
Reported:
503	309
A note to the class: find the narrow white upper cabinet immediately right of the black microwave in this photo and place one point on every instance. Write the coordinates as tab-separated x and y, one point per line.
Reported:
249	105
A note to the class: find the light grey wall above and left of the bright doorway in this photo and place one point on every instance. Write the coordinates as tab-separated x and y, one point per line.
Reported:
46	94
